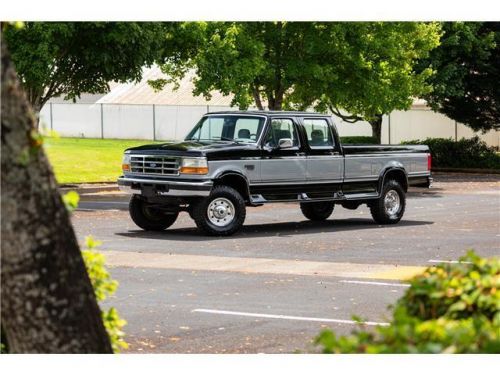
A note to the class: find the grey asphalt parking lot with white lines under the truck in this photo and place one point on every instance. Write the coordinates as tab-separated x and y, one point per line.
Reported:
273	286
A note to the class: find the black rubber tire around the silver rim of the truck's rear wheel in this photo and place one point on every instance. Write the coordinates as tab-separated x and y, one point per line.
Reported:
378	207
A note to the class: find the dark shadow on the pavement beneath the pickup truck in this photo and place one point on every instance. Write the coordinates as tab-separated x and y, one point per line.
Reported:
273	229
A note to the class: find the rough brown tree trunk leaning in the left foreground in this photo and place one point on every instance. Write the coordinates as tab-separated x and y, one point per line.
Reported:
48	304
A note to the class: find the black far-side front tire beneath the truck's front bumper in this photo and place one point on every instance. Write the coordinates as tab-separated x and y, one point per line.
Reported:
148	218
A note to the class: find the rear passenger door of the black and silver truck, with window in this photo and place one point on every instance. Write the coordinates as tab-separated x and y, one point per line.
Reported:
325	164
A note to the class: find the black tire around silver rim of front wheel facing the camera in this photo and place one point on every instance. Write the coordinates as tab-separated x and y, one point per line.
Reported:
200	212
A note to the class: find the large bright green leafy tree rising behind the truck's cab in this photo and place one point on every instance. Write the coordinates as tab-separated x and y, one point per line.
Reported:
363	68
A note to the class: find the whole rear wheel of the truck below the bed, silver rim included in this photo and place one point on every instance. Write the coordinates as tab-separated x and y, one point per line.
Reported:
390	207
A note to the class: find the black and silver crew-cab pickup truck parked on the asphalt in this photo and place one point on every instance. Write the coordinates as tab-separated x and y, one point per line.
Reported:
232	160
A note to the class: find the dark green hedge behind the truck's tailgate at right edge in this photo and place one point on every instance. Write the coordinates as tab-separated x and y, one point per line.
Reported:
465	153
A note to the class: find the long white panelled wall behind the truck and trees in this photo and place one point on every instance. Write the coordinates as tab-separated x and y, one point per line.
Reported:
174	122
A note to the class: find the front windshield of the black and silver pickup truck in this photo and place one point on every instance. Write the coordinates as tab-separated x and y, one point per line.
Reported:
227	128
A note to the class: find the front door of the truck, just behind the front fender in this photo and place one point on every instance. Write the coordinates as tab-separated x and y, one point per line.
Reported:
283	165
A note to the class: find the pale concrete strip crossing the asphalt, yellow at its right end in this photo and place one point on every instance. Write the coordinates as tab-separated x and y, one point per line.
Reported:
260	265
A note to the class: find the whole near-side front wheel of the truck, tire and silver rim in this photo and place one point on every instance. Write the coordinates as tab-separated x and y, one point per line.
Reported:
220	214
